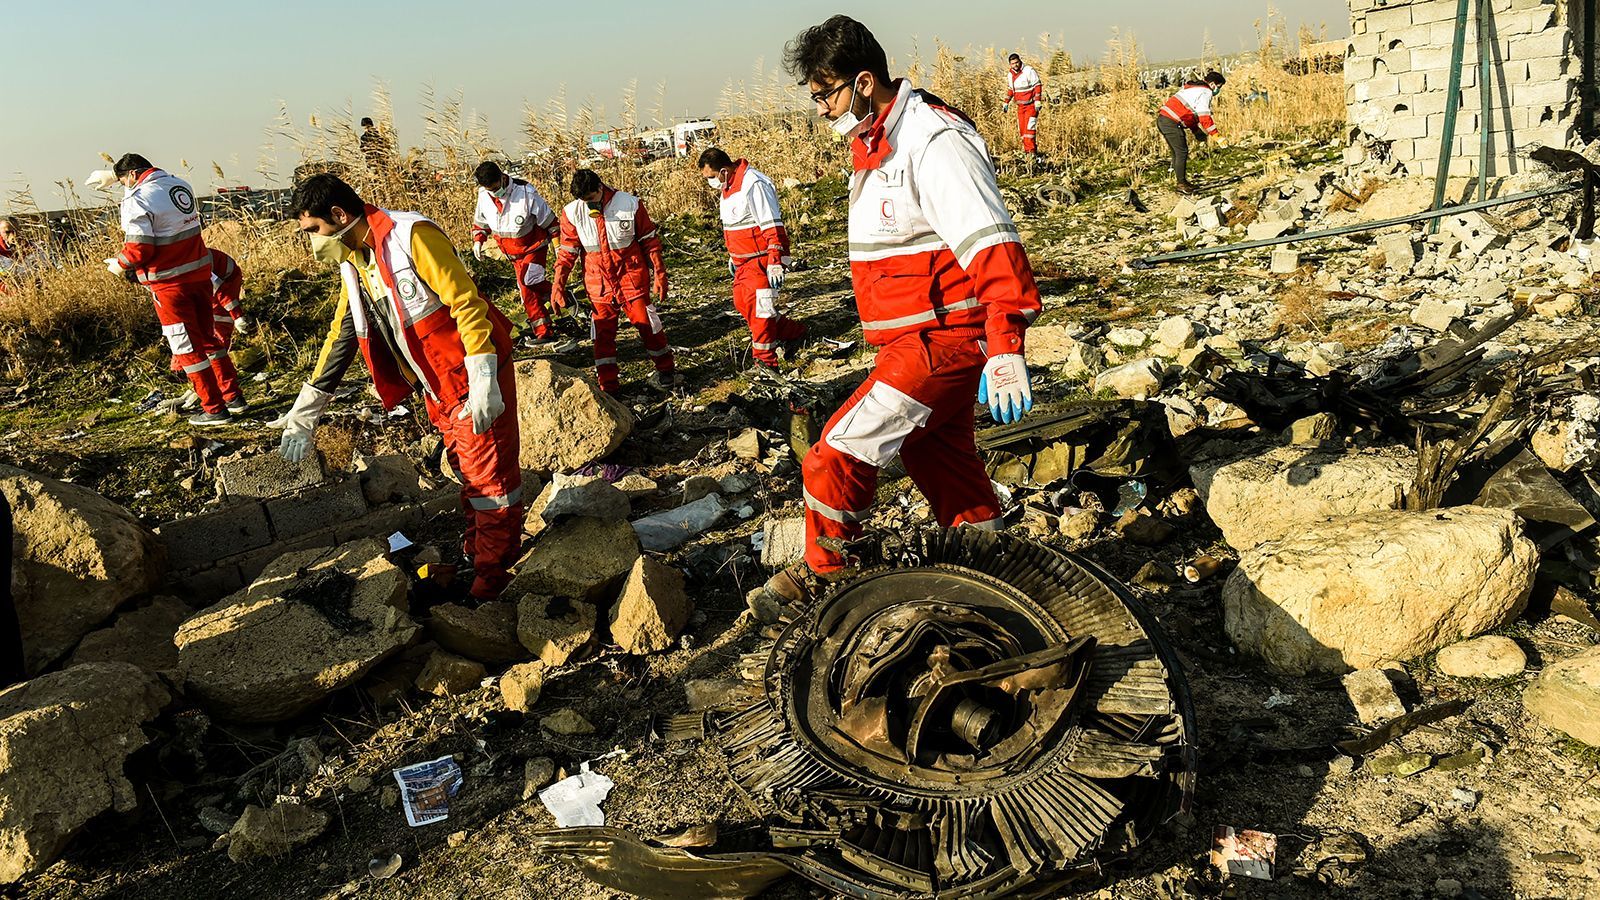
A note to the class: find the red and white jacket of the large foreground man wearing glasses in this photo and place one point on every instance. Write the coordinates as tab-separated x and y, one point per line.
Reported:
932	244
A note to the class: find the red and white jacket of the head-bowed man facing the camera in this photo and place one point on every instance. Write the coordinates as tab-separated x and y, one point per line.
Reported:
618	259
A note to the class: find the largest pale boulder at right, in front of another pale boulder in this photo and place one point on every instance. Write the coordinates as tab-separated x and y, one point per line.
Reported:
1382	587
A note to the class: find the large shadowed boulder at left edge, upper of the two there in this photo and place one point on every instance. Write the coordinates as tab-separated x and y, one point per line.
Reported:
76	558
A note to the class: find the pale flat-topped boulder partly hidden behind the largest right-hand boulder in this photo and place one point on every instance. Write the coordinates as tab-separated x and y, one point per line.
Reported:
1281	492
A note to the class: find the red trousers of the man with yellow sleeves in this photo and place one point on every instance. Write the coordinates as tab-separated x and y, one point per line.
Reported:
490	472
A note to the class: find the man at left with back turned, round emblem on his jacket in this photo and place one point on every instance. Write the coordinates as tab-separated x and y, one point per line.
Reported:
166	252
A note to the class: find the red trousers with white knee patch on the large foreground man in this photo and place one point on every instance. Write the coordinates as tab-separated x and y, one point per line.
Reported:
918	406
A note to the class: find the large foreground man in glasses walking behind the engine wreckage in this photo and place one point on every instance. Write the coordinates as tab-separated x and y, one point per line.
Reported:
945	292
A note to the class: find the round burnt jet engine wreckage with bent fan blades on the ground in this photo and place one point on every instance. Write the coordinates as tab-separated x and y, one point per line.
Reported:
974	718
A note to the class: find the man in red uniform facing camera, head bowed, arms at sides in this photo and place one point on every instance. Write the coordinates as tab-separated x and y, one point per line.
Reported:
622	254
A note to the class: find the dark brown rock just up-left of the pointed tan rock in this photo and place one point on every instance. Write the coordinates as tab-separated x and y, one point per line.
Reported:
582	558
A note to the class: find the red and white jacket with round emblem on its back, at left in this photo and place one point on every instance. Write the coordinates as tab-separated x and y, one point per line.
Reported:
161	223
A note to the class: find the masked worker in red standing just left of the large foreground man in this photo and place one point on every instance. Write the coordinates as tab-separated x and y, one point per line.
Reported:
758	252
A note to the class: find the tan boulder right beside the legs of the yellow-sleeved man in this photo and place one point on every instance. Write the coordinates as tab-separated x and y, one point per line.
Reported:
566	420
